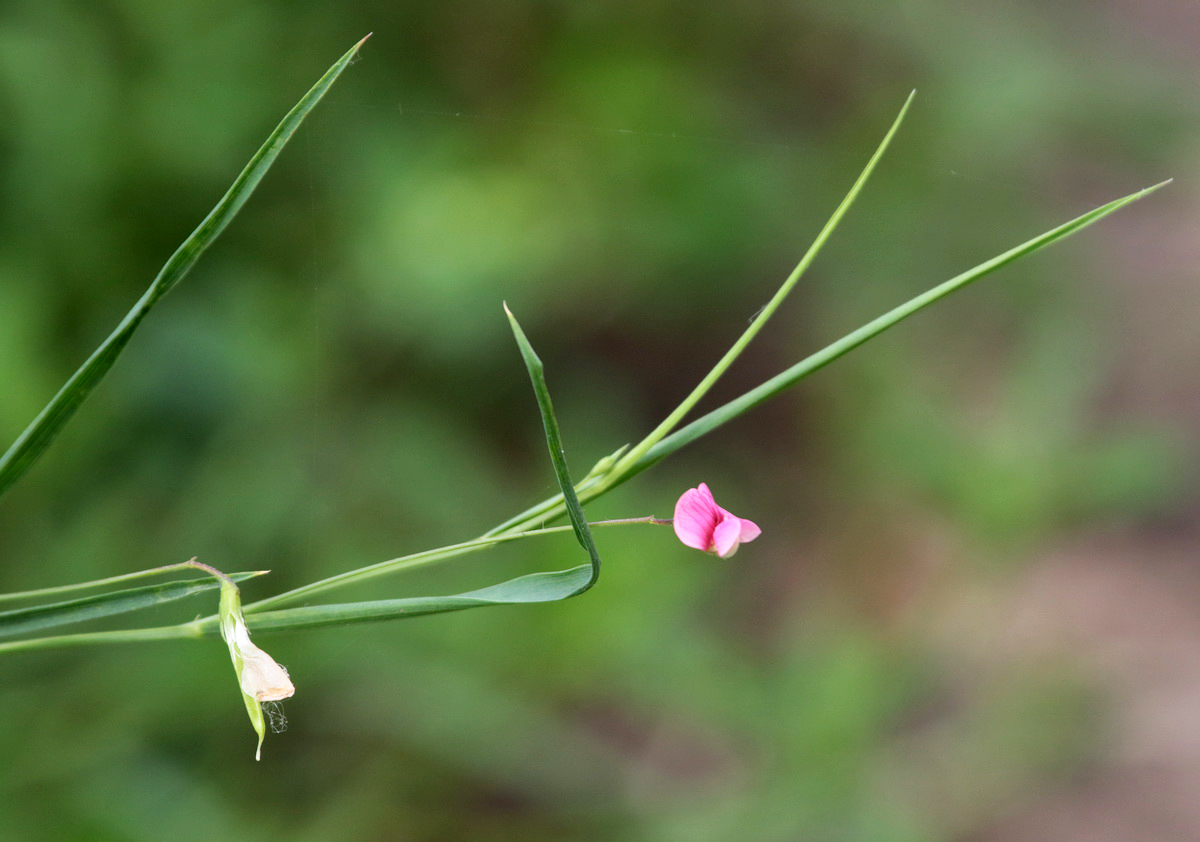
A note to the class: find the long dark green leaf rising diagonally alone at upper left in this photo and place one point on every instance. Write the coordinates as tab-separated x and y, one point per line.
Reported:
43	431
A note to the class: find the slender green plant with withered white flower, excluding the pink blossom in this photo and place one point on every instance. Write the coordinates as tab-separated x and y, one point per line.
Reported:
233	622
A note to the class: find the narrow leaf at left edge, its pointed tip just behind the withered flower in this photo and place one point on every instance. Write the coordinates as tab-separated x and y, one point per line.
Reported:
39	618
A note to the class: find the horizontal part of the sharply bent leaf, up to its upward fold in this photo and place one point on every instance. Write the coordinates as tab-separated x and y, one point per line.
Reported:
523	591
